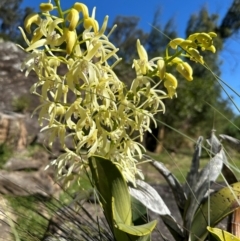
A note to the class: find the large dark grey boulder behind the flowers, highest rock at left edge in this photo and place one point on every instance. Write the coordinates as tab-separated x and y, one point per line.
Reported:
13	83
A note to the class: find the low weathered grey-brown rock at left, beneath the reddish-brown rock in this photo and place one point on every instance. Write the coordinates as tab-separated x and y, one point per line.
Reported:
25	176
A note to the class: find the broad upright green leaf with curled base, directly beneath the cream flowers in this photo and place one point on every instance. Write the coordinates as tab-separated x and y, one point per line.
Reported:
115	198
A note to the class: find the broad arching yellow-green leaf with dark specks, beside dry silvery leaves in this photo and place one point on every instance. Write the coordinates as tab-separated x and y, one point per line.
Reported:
222	203
